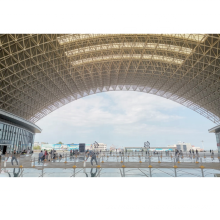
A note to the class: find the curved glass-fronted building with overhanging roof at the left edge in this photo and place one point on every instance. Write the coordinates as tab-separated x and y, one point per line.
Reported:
16	133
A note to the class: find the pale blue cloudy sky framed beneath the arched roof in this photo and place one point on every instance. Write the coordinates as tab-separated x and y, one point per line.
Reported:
126	119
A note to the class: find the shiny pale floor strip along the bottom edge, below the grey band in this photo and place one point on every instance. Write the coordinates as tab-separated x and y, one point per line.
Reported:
107	172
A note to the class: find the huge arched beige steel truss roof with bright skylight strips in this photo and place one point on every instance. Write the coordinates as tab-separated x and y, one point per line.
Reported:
42	72
